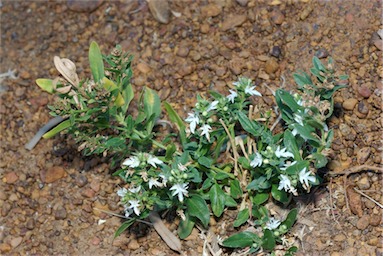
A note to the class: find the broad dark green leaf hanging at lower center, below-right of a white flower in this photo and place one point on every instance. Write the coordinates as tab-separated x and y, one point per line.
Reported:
197	207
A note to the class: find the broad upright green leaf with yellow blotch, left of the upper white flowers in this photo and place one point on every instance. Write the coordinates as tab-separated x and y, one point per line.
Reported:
152	107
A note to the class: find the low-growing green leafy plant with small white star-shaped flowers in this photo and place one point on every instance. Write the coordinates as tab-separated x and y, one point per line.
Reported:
225	153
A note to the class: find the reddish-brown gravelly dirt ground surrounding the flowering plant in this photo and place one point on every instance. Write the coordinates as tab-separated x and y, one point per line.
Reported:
49	196
